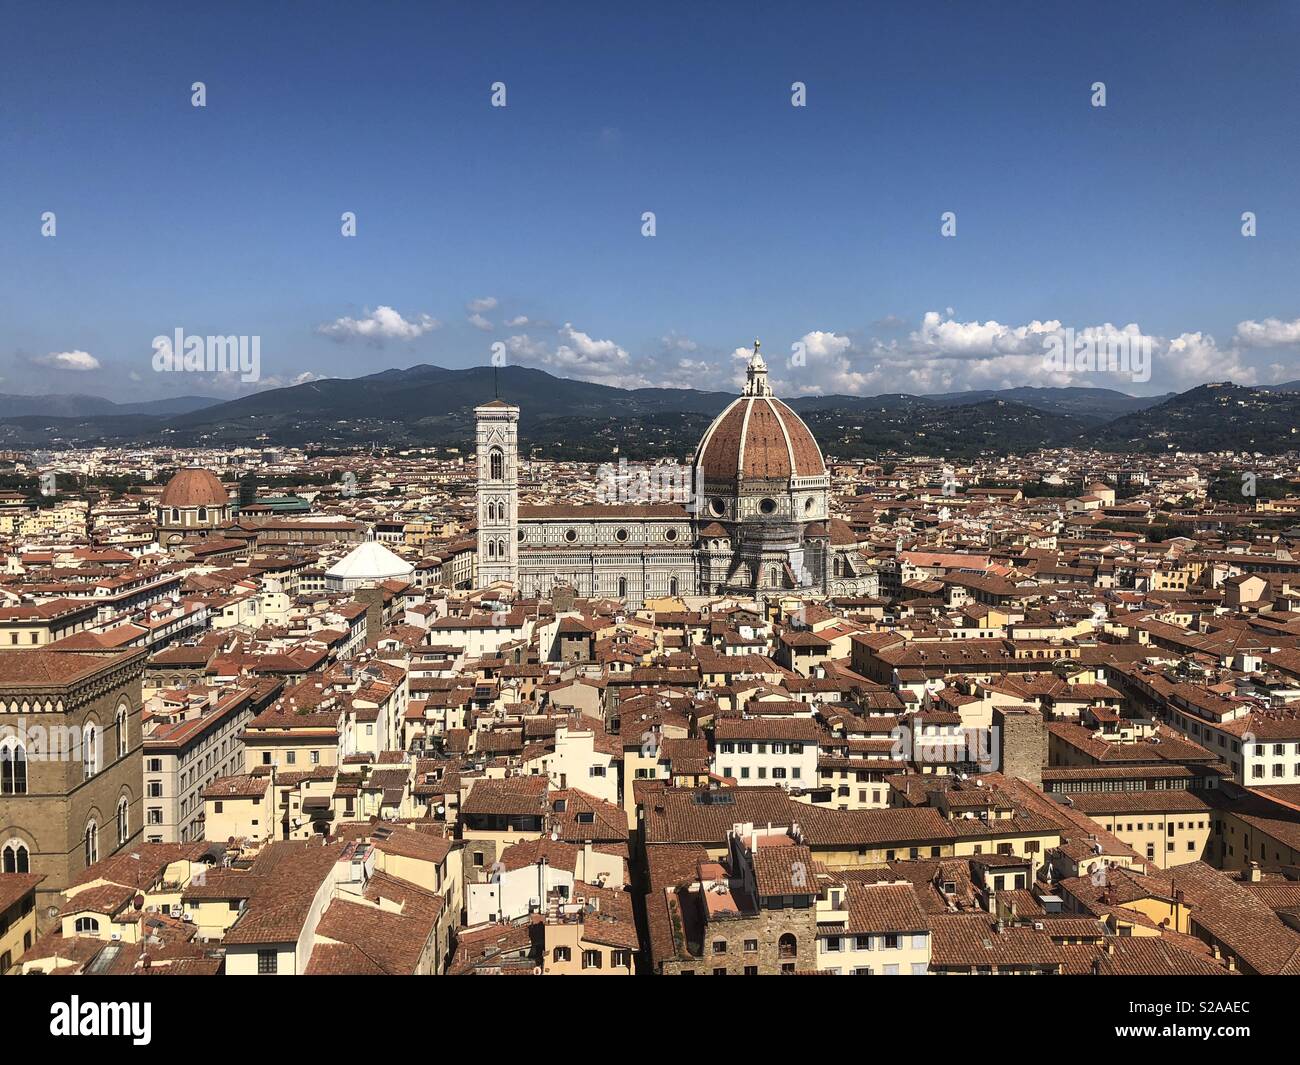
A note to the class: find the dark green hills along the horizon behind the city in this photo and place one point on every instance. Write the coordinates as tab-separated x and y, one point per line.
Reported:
562	418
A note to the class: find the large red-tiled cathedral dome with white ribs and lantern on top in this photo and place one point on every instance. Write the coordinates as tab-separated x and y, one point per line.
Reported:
759	439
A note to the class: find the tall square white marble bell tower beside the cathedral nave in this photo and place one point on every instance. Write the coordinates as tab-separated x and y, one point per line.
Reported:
497	440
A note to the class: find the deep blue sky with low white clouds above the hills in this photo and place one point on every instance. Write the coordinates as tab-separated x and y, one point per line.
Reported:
817	226
